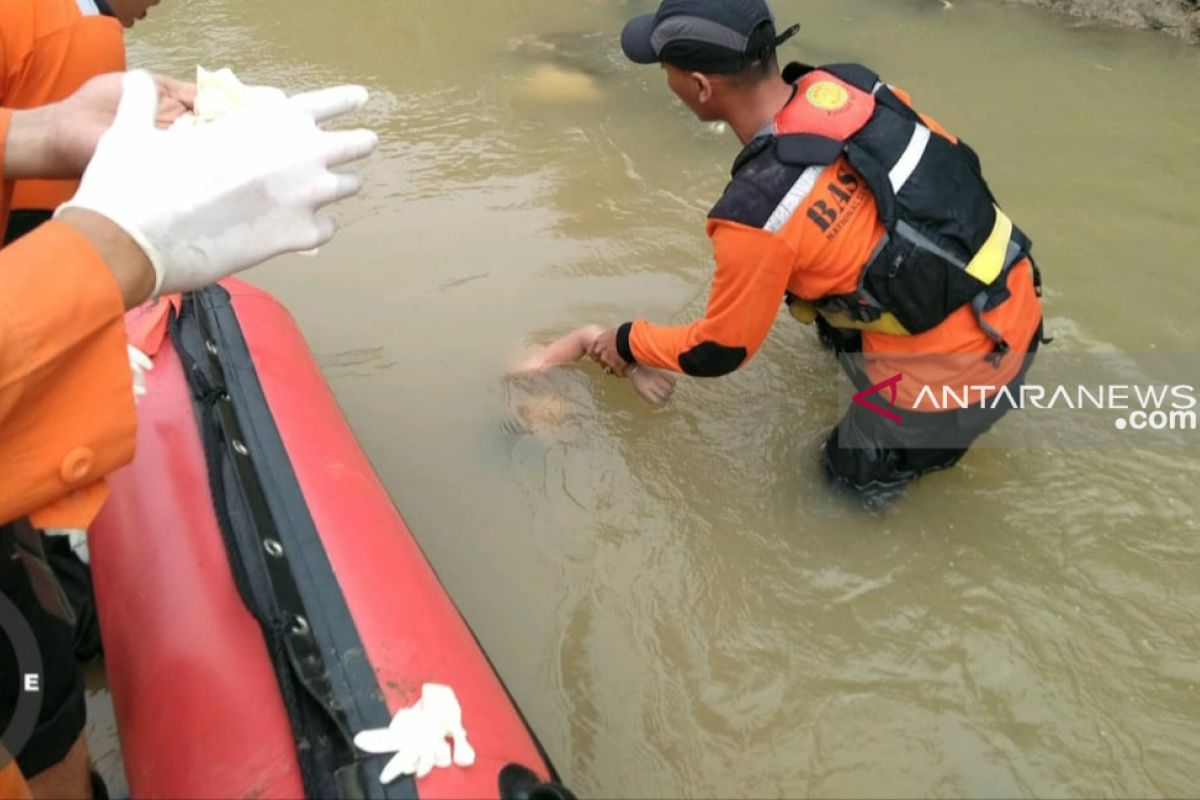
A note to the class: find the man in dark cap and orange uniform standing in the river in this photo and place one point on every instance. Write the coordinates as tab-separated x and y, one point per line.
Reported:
866	218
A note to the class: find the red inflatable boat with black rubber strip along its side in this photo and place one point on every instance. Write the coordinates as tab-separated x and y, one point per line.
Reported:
261	599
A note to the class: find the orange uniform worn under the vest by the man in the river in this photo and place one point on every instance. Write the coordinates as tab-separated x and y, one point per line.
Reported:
821	252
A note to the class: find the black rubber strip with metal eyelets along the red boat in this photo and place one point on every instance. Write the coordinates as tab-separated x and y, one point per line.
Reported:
279	562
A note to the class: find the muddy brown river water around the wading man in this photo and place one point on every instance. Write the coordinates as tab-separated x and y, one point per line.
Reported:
673	597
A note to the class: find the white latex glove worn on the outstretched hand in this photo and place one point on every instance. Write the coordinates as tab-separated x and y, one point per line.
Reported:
217	200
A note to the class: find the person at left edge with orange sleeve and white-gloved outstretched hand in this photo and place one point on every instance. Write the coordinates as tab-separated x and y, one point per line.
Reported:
67	401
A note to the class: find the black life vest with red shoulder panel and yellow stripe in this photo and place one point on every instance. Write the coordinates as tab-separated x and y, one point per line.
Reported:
947	244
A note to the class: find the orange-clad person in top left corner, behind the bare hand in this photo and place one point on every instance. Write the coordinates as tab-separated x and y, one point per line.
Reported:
50	50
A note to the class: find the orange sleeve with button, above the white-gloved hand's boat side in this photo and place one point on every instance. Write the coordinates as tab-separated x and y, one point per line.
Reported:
67	401
